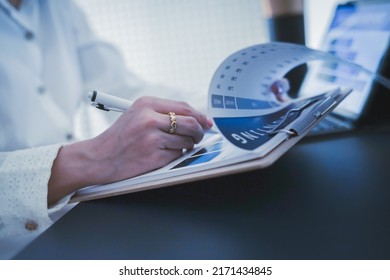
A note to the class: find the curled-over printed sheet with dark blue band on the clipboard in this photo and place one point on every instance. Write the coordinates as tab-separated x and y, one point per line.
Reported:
240	95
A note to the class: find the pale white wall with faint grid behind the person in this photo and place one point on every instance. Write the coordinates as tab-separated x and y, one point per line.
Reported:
177	42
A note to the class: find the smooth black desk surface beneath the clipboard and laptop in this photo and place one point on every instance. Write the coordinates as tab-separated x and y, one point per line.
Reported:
324	199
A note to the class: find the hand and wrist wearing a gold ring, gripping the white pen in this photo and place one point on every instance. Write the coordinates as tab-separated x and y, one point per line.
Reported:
138	142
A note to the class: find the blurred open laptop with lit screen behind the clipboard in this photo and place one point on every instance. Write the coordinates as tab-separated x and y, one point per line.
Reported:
359	32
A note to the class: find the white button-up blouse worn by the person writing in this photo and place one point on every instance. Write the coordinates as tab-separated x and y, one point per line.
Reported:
49	60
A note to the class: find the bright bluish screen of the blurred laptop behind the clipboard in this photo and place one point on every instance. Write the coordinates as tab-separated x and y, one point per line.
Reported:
359	32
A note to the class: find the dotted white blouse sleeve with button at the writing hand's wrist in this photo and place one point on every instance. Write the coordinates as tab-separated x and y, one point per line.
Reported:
24	177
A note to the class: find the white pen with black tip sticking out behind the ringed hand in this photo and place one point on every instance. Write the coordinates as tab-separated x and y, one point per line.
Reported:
108	102
